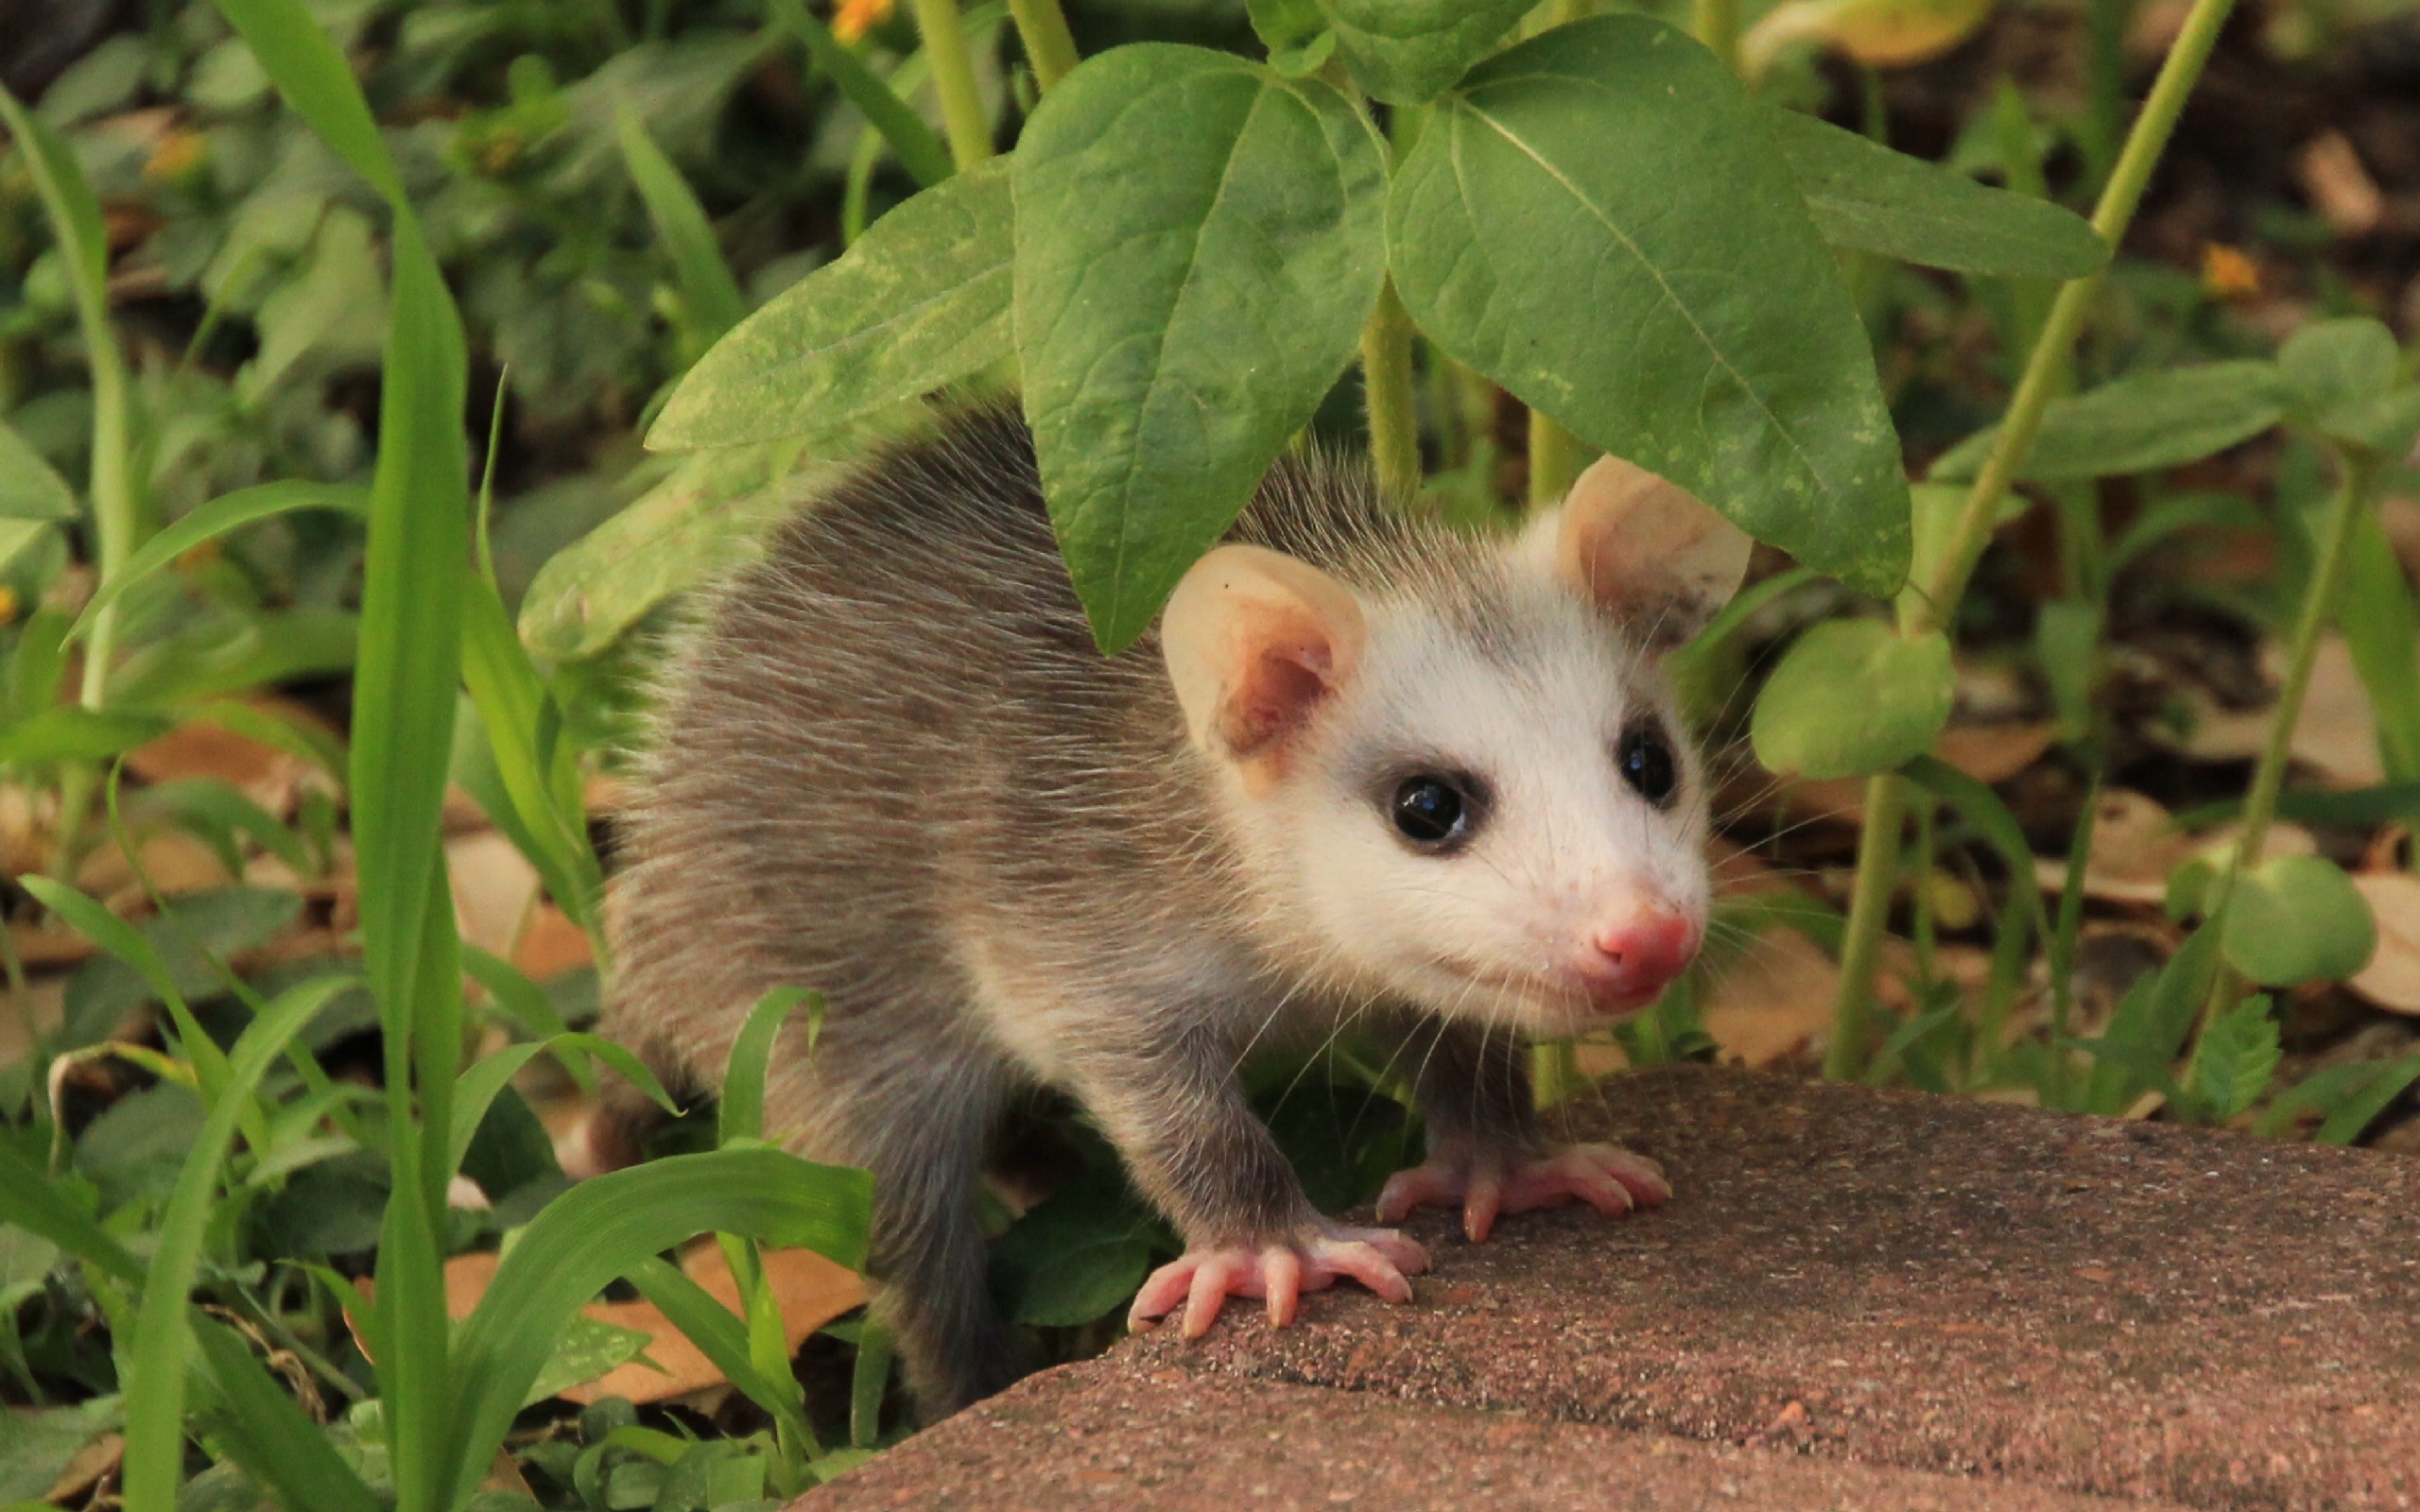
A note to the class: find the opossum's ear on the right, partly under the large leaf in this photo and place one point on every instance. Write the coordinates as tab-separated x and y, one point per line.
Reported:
1644	550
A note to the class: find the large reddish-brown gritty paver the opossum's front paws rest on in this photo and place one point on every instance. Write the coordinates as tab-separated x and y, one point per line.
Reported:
1935	1293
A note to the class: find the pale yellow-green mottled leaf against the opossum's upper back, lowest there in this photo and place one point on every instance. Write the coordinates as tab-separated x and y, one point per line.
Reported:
701	521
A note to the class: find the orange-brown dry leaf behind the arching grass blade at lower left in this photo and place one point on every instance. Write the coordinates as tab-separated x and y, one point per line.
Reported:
809	1288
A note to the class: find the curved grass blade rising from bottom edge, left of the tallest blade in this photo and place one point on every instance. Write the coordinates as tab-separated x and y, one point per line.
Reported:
163	1339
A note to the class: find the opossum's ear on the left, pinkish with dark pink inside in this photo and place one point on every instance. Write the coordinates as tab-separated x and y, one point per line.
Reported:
1255	645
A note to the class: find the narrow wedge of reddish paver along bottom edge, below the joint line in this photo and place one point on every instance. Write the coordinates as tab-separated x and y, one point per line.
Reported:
1122	1436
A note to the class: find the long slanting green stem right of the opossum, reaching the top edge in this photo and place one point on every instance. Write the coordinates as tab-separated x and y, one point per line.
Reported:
1932	606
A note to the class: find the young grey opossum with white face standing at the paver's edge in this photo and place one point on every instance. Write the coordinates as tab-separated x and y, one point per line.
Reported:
1366	773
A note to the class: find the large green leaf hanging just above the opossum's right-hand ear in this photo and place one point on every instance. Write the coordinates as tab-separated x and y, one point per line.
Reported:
1632	292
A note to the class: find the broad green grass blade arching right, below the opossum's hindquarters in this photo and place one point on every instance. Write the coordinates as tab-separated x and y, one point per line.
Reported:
609	1228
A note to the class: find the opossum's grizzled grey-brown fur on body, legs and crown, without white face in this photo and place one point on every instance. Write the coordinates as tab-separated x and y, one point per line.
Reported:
894	768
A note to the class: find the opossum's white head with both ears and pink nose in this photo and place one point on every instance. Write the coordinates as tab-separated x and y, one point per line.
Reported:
1473	790
